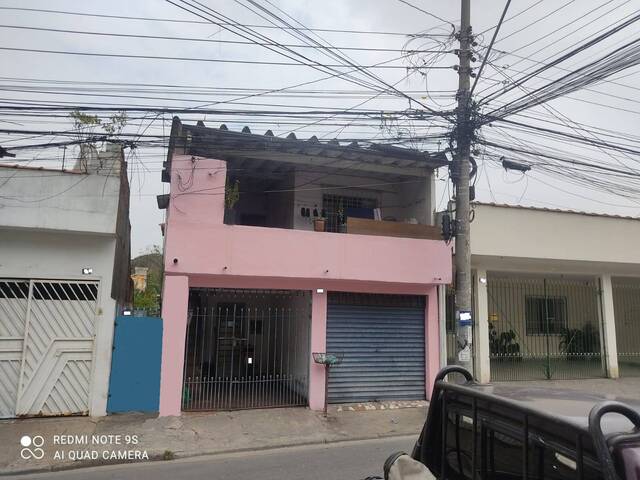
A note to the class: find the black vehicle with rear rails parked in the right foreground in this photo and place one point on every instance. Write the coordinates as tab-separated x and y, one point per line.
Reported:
500	432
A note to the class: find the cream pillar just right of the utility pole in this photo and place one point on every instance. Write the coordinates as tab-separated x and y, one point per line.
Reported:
481	347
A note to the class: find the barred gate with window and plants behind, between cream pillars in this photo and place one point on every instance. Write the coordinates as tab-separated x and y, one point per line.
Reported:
543	328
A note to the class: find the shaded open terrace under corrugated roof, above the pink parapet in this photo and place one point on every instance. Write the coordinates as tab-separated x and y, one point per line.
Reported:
311	185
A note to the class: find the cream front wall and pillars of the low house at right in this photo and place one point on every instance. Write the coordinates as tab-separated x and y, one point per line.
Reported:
514	241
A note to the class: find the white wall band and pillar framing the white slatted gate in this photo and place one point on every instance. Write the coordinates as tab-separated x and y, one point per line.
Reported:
56	255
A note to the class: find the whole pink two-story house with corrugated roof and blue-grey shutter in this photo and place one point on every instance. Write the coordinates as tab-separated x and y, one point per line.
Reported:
278	248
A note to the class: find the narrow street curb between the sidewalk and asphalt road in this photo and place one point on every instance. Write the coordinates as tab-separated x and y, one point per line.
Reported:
158	457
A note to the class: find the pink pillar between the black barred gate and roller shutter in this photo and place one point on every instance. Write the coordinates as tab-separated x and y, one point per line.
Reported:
318	344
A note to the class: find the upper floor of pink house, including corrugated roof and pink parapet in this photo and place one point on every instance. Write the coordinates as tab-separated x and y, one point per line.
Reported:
262	206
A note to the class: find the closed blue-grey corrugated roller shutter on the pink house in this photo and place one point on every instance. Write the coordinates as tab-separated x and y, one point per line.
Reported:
383	341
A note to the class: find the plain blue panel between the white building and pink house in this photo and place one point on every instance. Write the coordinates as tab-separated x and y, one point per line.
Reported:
135	366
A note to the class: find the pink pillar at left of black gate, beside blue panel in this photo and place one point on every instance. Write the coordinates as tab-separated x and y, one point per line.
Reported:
175	305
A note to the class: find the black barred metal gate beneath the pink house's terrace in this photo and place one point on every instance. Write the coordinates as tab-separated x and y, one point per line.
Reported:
246	349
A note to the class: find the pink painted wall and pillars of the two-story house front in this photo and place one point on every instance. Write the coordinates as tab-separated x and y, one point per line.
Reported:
201	251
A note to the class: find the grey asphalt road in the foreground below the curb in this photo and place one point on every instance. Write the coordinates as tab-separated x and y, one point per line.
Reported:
338	461
